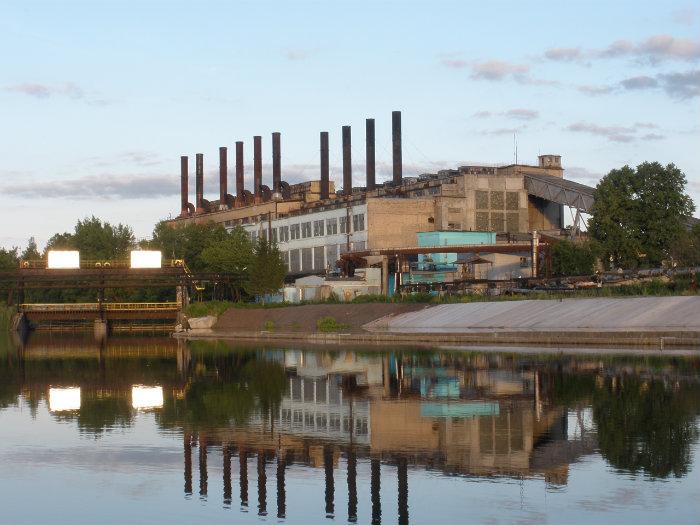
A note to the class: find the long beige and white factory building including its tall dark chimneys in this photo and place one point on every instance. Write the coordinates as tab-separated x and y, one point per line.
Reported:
314	225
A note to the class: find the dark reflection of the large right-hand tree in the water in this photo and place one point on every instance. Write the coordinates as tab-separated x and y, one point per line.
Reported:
646	425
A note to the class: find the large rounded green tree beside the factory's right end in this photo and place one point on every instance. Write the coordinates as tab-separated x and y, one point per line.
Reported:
639	215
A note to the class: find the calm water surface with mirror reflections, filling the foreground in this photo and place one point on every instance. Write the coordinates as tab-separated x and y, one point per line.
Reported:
149	431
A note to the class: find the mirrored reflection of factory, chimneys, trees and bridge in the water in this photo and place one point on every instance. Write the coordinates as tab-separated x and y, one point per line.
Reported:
465	414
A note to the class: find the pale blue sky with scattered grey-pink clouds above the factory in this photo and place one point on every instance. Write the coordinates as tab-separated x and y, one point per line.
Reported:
98	100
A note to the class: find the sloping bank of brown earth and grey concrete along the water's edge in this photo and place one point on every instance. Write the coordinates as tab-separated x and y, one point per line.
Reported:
656	322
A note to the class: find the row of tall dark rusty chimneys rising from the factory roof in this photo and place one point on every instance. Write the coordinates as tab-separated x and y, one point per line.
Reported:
261	192
